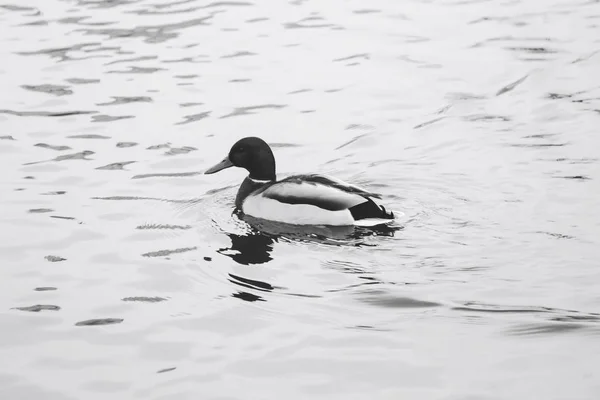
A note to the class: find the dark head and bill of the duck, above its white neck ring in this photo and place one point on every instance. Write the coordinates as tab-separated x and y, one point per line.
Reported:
251	153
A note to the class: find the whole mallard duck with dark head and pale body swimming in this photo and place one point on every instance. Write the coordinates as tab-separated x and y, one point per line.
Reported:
310	199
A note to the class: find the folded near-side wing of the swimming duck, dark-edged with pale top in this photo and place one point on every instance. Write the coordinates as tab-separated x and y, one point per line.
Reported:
317	190
